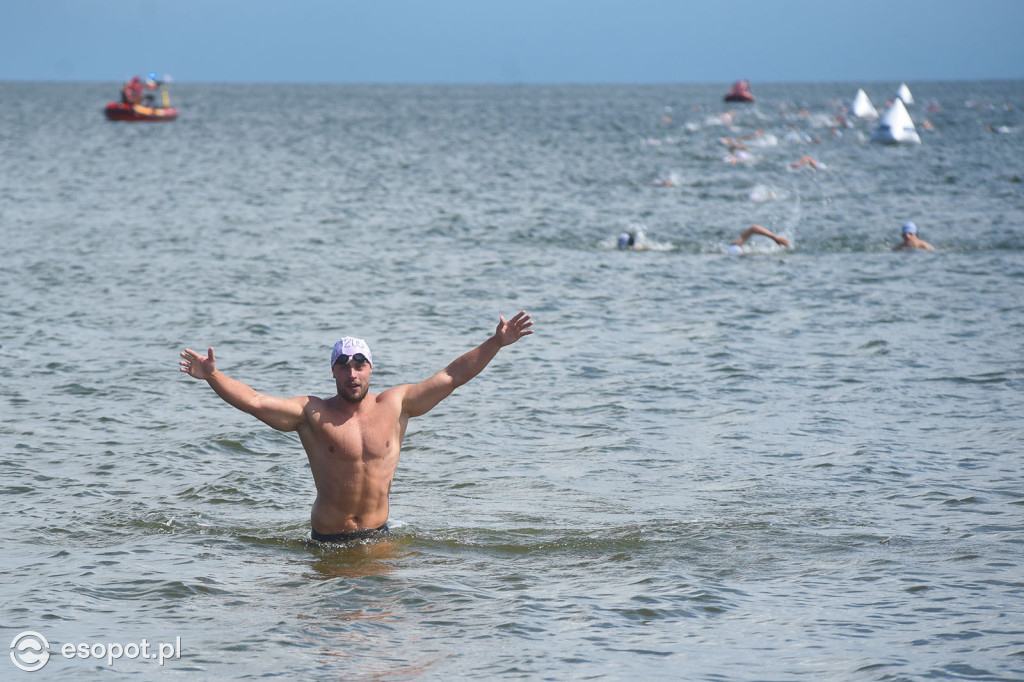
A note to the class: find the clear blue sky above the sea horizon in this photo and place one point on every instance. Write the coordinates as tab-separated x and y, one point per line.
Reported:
513	41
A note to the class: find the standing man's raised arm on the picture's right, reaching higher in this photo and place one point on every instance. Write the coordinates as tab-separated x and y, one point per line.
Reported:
421	398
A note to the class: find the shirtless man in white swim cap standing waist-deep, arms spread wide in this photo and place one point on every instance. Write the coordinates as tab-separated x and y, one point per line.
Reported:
355	439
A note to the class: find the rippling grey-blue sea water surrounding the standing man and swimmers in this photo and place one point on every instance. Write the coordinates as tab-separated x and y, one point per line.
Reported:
795	464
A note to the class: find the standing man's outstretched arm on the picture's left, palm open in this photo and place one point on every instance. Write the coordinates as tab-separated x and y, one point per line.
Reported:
282	414
